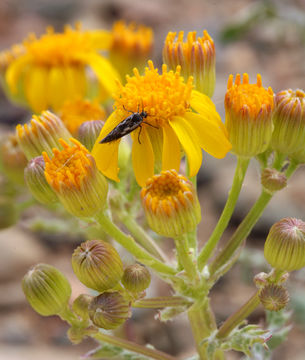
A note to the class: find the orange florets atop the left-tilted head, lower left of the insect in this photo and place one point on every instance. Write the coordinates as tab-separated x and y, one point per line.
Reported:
69	167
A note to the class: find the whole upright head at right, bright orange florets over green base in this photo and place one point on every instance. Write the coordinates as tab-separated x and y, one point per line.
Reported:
248	115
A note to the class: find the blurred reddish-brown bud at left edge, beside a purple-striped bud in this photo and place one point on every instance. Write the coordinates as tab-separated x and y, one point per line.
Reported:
13	159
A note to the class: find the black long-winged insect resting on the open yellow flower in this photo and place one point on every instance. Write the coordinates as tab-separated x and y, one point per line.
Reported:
133	121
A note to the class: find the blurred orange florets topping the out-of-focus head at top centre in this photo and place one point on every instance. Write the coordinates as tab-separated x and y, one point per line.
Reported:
131	39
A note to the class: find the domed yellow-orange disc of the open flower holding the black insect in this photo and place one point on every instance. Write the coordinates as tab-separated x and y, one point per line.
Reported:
162	96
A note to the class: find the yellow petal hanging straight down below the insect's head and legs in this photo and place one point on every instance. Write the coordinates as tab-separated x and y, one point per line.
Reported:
142	157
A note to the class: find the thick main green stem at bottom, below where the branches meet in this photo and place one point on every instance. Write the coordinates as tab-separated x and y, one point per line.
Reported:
203	323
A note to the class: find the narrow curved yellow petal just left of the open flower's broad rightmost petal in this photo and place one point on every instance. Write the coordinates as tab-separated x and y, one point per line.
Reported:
189	142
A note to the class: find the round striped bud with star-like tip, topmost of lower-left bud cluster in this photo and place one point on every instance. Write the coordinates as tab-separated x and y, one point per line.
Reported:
97	265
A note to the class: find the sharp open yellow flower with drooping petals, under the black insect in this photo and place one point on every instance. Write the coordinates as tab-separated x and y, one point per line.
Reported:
180	117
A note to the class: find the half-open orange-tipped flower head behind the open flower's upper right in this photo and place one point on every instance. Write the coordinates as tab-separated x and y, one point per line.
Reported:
196	56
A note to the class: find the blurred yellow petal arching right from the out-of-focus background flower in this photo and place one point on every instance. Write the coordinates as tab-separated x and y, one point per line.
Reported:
103	70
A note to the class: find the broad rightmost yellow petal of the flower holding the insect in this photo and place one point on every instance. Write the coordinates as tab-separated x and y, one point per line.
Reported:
211	136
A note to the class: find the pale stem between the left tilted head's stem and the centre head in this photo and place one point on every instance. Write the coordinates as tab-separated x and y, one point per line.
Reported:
141	236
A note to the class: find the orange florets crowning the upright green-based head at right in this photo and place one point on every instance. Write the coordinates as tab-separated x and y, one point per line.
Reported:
251	97
